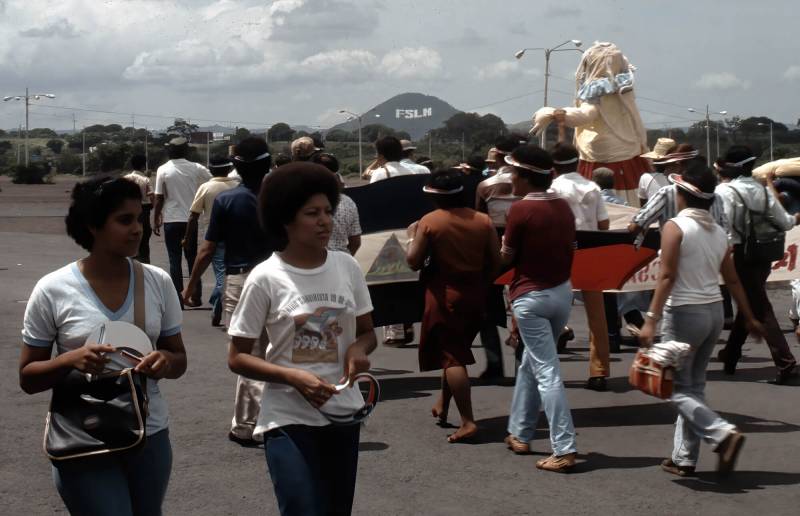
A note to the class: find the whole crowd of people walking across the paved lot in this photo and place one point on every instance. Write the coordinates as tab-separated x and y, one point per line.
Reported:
280	235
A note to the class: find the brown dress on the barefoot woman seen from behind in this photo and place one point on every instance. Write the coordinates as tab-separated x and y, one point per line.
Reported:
456	286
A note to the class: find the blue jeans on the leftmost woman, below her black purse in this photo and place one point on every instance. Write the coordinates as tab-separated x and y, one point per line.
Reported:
123	484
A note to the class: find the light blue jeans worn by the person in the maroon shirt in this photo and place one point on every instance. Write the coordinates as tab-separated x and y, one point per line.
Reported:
541	315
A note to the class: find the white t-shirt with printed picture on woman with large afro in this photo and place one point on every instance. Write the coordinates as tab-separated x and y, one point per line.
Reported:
310	316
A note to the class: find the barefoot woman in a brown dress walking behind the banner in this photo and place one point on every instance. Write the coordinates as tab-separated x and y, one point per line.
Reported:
463	251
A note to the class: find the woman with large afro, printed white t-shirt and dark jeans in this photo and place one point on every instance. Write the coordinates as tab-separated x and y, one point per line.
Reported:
317	311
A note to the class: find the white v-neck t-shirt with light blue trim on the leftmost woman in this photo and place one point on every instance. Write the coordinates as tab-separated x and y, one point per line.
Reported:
64	309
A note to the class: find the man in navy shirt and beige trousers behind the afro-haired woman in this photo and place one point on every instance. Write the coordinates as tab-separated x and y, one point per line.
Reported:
234	225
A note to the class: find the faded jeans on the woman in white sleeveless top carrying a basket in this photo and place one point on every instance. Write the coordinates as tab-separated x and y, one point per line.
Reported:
699	326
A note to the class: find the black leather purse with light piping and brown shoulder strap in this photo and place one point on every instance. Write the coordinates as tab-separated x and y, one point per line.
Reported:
103	415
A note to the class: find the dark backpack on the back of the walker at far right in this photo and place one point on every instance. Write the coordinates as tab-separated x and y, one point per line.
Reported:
760	246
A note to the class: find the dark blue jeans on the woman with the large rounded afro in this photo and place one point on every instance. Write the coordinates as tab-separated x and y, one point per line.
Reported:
313	468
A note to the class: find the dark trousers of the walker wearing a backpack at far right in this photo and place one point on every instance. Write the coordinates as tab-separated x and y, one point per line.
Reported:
754	282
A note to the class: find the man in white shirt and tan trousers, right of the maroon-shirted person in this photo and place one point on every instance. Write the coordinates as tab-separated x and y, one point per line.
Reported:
586	202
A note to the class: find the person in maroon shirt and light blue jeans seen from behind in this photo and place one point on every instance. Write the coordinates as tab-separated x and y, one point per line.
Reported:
539	243
